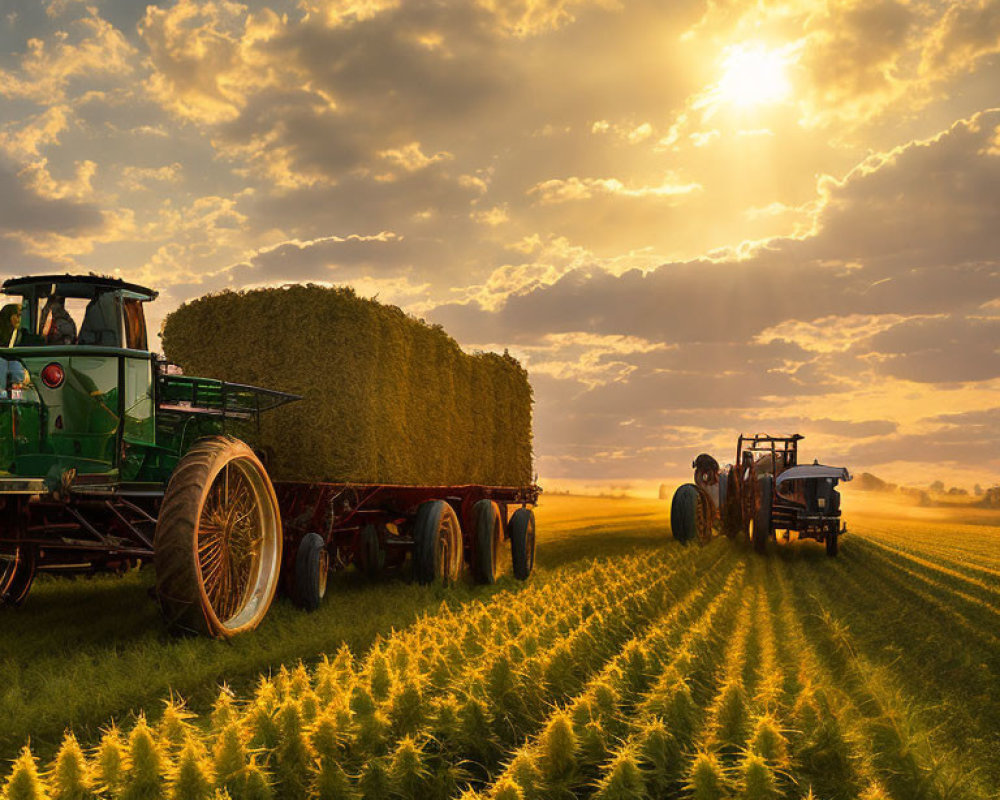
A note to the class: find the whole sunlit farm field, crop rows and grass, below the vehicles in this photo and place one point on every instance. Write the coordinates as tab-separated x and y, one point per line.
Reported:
628	666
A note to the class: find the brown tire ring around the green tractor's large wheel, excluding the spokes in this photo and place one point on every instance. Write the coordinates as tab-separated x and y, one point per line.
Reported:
179	588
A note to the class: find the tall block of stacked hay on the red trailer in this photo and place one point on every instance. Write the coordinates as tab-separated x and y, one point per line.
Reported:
386	398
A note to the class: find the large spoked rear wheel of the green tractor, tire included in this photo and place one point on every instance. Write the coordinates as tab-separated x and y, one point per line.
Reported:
218	541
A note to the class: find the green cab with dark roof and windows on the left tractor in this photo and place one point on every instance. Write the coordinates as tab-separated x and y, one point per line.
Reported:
77	379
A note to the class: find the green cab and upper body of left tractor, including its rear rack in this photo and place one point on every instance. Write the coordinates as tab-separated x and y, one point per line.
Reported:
86	407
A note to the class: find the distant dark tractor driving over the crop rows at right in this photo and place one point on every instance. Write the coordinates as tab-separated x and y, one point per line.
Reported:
764	491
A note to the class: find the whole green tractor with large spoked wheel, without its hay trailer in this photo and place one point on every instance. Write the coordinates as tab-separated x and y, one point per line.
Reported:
110	457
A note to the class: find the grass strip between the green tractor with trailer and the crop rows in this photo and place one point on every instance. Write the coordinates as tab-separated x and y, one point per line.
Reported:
81	652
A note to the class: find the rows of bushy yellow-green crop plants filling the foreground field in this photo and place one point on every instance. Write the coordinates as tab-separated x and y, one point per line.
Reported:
670	671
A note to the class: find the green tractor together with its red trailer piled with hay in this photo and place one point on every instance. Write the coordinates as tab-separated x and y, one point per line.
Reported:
111	456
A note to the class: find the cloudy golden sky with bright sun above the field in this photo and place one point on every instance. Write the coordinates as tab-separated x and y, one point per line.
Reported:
687	219
